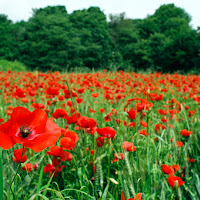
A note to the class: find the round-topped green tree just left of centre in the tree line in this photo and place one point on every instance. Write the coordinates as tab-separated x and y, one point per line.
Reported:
91	42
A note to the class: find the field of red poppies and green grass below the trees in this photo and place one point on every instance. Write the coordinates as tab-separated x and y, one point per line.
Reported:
101	135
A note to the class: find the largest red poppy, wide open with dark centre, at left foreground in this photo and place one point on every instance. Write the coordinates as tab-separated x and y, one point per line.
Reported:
31	129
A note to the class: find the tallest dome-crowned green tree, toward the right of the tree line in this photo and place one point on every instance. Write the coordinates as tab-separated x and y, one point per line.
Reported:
172	41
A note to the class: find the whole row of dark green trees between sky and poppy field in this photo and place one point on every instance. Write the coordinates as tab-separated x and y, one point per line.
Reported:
53	39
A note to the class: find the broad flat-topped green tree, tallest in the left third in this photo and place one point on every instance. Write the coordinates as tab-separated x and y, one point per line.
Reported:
47	39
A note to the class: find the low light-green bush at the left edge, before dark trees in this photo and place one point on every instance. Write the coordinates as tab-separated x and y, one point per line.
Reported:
13	66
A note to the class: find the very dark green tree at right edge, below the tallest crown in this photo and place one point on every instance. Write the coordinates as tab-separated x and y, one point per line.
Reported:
181	52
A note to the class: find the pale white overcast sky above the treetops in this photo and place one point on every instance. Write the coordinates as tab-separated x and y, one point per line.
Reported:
17	10
